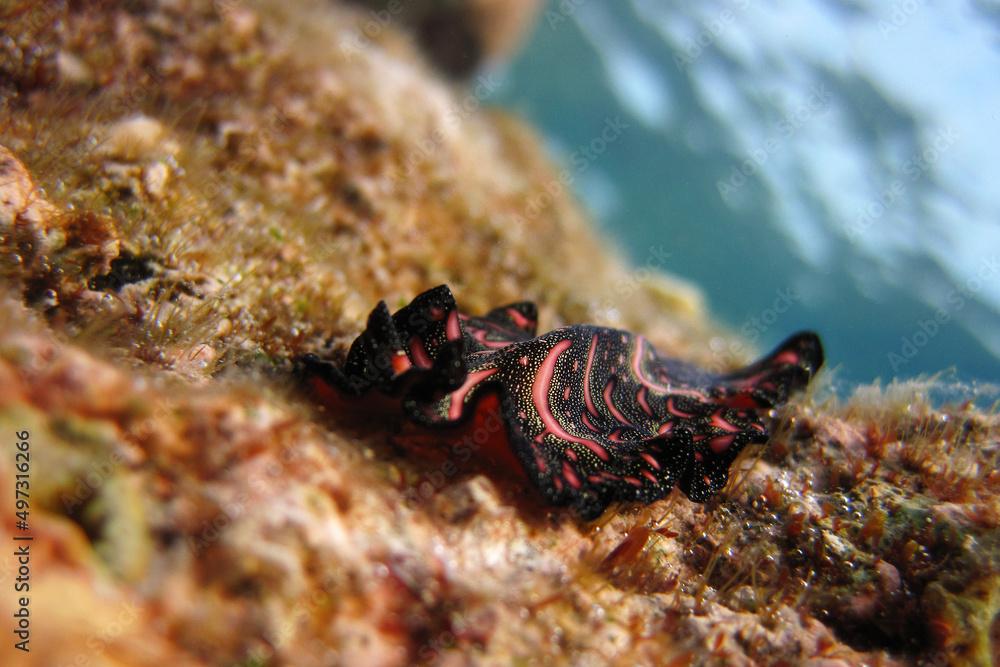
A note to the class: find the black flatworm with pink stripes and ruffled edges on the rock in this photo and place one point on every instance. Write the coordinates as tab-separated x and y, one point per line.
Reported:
593	415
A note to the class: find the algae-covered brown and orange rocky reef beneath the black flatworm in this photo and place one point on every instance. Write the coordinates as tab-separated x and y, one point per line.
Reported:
193	193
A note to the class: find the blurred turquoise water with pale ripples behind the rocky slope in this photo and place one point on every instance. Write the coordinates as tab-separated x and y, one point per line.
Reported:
811	164
